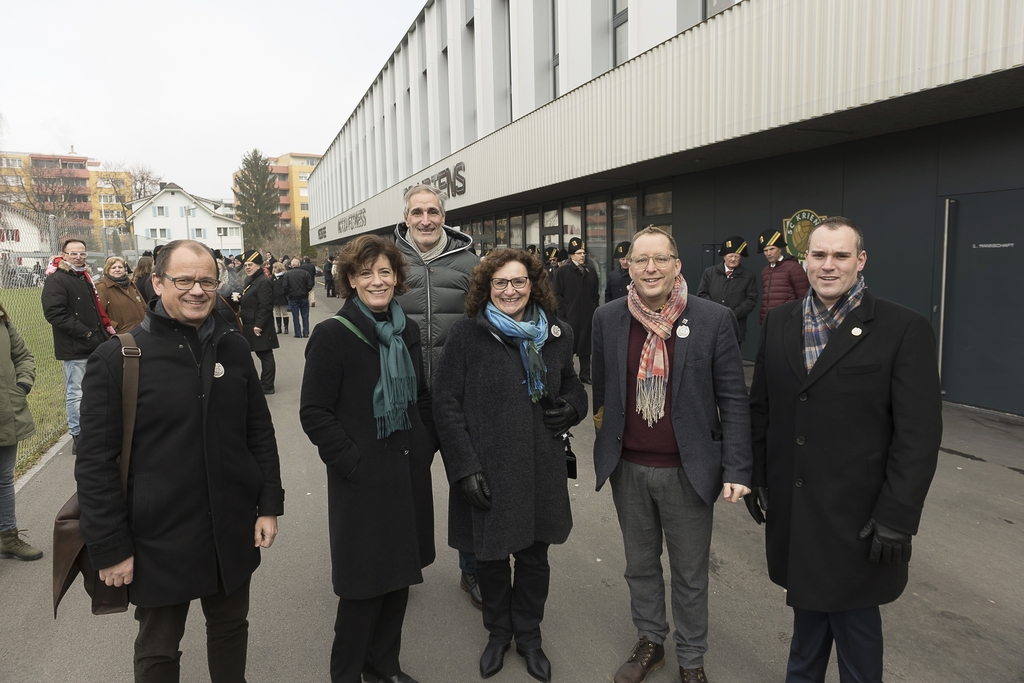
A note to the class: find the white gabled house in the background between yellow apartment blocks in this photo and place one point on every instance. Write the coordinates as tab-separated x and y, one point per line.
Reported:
176	215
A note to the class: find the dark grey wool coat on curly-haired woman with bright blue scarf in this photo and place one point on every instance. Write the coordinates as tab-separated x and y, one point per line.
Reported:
488	423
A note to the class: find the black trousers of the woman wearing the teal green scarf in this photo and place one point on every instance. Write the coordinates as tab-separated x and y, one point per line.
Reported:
368	637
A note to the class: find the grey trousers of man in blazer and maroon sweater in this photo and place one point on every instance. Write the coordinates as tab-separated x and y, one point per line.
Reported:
653	502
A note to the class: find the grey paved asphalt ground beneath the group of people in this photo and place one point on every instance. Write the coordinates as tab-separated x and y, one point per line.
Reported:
961	619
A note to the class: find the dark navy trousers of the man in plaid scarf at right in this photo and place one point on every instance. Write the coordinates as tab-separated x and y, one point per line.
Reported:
858	634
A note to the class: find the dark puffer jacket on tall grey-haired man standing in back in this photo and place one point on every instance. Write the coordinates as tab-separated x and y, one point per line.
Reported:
437	296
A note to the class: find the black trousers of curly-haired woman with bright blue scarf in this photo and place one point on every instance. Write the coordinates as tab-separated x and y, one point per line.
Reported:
516	608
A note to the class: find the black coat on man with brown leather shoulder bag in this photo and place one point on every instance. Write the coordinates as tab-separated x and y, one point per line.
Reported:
204	462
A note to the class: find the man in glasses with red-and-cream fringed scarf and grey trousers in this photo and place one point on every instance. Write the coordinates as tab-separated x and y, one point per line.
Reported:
673	433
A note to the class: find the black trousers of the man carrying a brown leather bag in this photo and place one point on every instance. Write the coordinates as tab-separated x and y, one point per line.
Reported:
160	631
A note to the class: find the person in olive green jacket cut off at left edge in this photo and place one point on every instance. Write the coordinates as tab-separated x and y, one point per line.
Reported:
18	373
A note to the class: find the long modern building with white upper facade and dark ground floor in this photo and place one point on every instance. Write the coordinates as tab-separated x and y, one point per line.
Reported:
545	119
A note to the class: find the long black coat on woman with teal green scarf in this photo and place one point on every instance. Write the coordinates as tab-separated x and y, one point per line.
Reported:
380	501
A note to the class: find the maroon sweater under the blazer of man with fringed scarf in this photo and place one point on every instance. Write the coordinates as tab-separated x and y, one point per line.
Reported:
655	446
